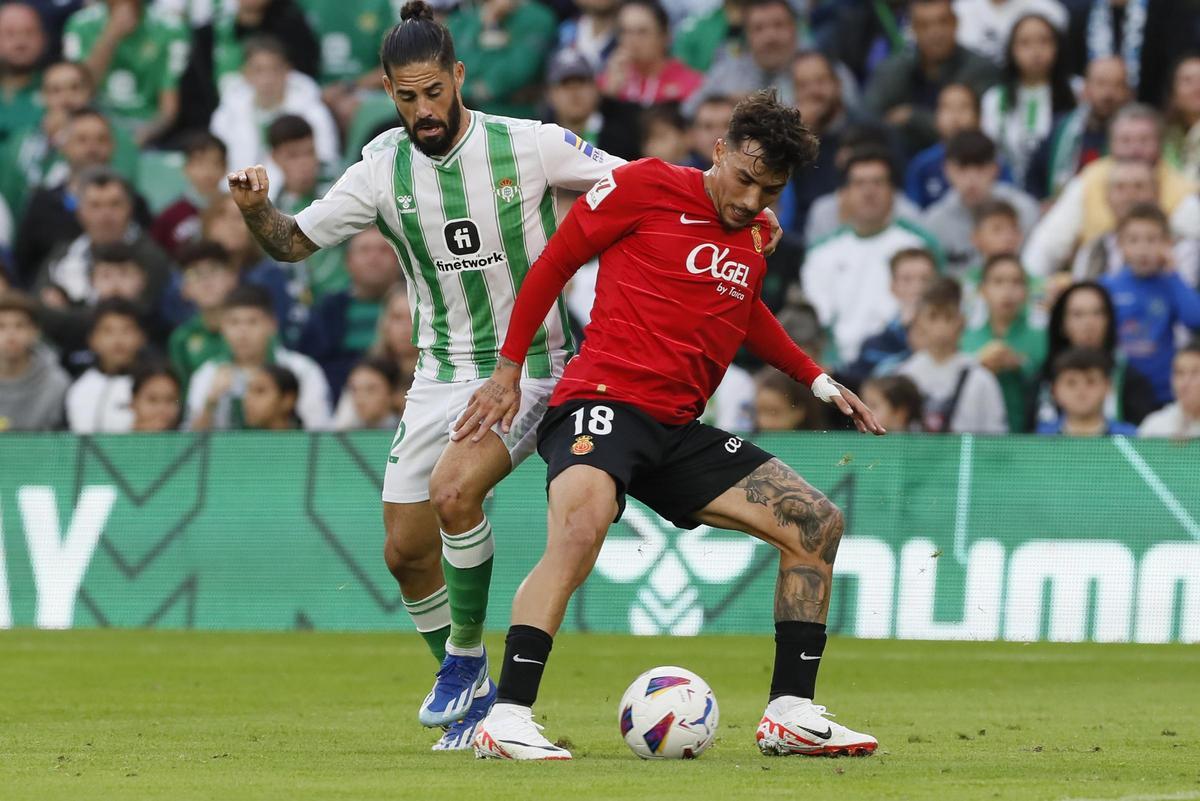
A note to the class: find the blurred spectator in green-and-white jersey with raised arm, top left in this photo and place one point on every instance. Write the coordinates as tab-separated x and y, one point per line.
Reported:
136	57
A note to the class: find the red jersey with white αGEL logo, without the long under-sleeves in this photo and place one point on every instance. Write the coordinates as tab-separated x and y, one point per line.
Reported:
675	294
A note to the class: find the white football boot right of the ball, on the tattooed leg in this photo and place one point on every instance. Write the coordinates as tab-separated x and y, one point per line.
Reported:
797	726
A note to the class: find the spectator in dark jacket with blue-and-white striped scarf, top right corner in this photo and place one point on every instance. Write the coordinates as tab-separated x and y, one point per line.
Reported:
1149	35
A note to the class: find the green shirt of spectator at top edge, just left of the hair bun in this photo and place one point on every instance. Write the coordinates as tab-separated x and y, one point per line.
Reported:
350	41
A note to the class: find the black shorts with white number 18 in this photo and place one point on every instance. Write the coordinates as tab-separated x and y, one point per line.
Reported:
676	471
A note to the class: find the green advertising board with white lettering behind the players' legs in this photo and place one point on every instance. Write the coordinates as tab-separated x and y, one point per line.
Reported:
947	538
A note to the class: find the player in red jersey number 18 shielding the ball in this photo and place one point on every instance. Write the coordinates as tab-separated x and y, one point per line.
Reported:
679	293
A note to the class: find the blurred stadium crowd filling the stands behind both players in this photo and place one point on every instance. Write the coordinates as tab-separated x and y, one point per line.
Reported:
1001	232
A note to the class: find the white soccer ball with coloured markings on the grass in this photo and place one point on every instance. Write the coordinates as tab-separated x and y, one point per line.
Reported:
668	714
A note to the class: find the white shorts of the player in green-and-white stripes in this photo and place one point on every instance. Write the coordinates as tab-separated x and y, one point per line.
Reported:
424	432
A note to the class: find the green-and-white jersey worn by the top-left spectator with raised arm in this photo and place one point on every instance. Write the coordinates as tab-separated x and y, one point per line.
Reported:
147	63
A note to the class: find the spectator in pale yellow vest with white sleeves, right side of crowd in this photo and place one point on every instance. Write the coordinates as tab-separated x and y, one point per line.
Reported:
1082	213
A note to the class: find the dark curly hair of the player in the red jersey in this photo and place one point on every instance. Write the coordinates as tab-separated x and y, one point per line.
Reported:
787	143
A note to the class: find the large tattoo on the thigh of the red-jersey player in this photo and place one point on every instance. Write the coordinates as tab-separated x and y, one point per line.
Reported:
794	502
